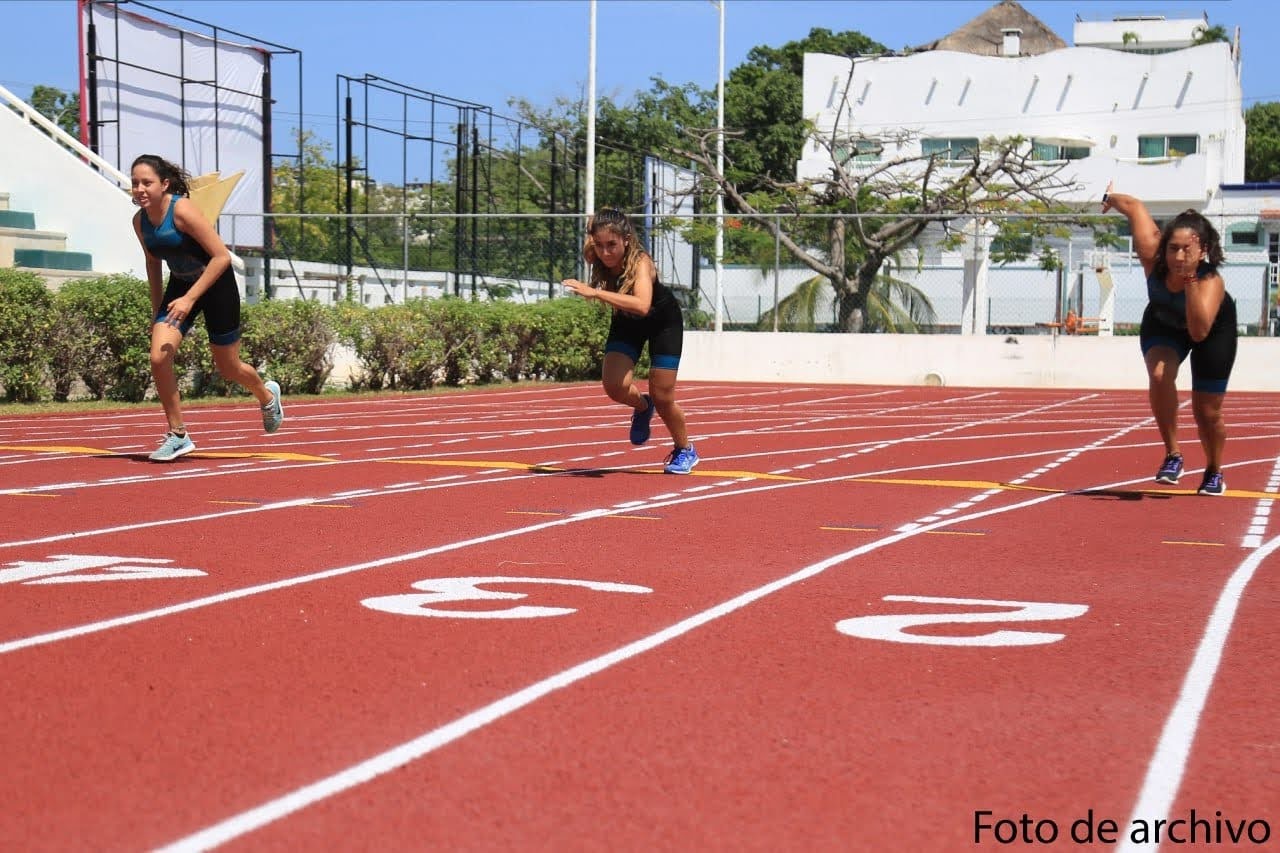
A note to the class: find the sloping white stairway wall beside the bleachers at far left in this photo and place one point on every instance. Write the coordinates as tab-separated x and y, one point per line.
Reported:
67	197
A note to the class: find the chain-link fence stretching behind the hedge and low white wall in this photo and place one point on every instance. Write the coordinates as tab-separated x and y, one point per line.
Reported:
945	282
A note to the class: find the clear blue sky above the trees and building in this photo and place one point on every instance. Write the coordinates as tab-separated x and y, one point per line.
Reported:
490	52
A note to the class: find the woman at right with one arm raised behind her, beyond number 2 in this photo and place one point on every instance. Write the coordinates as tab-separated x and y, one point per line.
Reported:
1188	312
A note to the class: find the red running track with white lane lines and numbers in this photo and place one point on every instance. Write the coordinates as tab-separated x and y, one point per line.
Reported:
884	619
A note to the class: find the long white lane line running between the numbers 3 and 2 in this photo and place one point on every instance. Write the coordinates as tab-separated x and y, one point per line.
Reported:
410	751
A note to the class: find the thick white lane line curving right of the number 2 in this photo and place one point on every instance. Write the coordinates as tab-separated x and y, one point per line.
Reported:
1173	750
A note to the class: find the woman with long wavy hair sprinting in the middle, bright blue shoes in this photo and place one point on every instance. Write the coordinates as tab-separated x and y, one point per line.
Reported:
644	311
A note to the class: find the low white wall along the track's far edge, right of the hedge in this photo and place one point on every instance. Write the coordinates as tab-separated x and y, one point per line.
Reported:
1022	362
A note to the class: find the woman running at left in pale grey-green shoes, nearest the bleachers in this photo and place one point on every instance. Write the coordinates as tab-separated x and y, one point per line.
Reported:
172	230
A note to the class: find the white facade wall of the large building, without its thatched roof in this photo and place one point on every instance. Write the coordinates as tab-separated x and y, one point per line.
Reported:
1109	97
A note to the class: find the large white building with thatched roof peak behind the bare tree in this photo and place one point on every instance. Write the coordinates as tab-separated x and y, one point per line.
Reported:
1167	127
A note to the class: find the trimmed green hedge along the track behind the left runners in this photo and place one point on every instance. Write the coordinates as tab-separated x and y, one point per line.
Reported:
97	332
